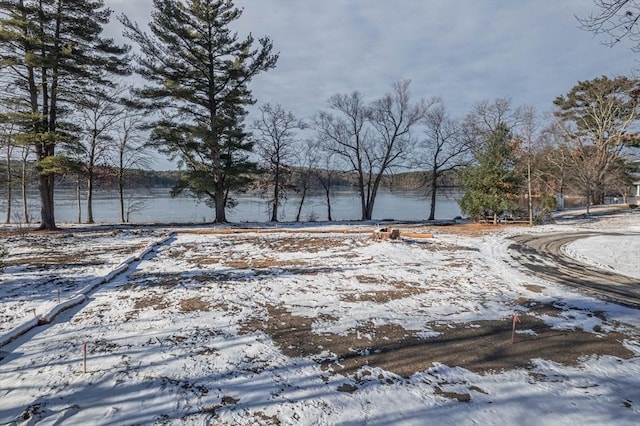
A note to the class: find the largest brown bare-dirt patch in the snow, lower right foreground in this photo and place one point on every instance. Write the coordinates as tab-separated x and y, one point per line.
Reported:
481	346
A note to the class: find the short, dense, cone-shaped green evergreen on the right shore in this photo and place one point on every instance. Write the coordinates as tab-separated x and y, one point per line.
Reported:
491	186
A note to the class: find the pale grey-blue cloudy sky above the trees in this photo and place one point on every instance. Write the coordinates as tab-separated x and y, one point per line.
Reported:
464	51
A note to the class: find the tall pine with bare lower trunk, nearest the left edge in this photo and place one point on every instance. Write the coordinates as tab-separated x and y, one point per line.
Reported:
48	49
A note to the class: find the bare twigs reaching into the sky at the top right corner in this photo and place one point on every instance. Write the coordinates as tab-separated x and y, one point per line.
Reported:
617	19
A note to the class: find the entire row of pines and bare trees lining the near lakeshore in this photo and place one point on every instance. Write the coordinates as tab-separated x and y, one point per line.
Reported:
67	108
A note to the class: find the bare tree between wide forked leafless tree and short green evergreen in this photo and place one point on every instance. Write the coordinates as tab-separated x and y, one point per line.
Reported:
443	149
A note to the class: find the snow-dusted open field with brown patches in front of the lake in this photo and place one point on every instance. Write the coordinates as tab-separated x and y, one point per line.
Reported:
313	325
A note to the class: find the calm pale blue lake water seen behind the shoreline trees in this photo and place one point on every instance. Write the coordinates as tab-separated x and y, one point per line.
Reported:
157	206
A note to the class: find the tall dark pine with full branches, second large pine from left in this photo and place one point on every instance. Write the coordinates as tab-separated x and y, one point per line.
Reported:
198	73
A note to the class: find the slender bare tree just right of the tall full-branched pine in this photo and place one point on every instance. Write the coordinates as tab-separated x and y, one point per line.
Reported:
275	134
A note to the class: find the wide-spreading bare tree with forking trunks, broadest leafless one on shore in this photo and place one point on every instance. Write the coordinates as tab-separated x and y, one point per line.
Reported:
370	139
